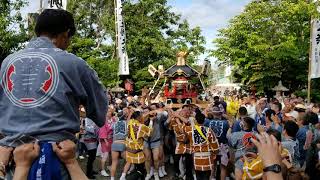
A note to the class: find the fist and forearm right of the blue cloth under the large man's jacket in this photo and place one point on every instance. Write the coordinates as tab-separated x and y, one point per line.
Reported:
66	151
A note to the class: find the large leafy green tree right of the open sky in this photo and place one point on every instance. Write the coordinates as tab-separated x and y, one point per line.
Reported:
268	42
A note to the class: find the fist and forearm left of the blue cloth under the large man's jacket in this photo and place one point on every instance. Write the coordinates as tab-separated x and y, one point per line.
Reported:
24	156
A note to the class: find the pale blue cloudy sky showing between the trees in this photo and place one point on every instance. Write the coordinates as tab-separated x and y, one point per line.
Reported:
209	15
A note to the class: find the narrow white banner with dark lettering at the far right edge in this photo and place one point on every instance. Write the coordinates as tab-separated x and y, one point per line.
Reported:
315	52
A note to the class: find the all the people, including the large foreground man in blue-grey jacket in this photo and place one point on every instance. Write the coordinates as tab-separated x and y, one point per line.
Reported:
55	111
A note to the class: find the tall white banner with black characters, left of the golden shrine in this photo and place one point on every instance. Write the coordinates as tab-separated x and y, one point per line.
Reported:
121	41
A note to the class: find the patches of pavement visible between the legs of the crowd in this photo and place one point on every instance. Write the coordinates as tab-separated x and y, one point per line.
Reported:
119	170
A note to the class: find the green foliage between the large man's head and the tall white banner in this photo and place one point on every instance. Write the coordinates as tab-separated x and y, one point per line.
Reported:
93	40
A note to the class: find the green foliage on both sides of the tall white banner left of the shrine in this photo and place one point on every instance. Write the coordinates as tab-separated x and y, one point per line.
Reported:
154	35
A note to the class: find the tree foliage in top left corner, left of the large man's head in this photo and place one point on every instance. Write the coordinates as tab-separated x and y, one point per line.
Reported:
12	30
